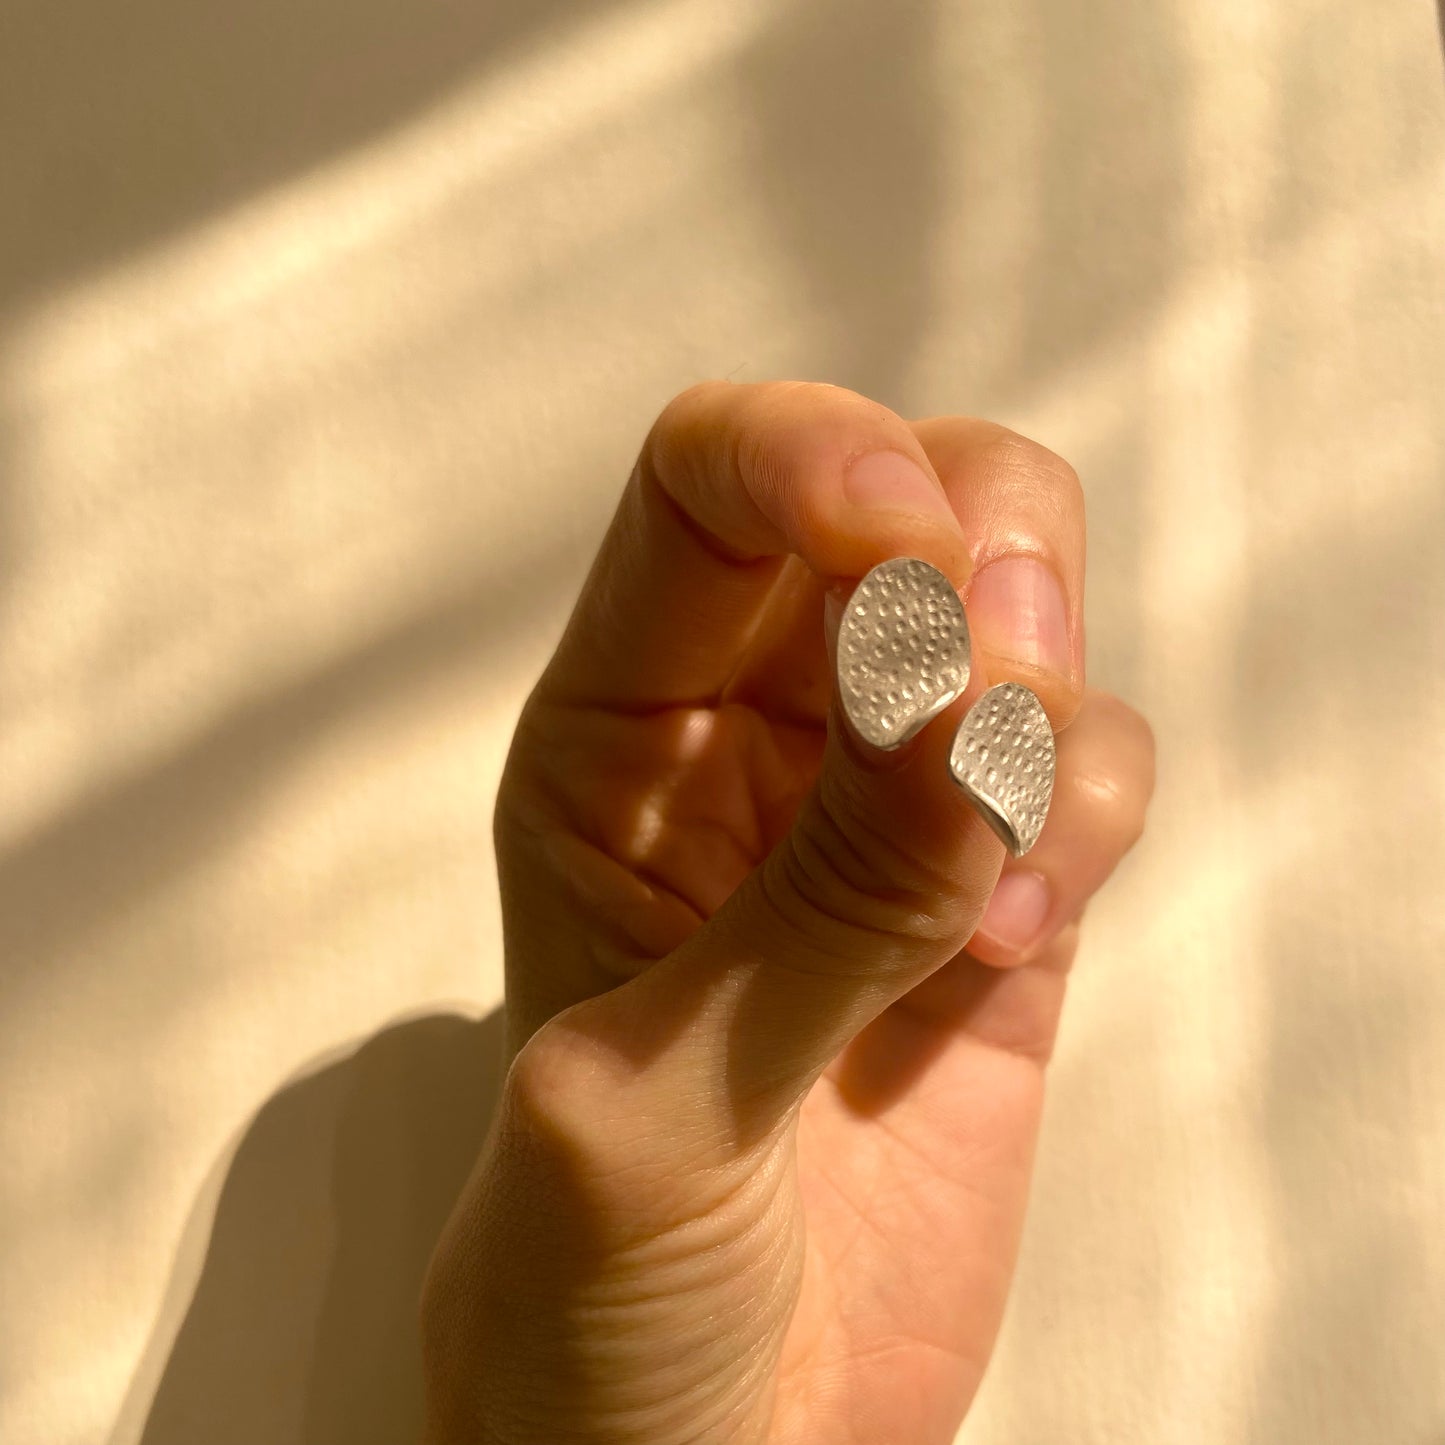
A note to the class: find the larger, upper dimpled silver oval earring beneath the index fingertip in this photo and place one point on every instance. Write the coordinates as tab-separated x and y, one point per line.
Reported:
904	651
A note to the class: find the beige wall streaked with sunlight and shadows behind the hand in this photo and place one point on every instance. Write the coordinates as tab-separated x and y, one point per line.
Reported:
329	333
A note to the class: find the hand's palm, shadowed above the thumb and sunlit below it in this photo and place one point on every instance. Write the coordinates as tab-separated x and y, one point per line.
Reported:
913	1151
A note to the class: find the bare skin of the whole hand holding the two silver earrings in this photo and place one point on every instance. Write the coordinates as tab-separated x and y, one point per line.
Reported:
761	1164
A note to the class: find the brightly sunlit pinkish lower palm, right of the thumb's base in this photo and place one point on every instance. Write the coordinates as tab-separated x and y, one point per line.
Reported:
908	1259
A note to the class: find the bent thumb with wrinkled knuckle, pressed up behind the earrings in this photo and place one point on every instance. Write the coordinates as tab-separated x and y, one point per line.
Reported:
881	881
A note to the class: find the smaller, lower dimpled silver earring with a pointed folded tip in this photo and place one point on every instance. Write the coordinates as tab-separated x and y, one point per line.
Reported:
1004	759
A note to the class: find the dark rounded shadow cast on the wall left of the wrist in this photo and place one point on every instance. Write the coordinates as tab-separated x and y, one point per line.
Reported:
304	1321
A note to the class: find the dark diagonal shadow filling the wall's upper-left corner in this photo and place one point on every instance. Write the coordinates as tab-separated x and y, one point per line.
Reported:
124	124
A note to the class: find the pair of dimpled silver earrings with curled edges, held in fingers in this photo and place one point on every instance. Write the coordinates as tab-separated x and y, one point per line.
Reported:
904	655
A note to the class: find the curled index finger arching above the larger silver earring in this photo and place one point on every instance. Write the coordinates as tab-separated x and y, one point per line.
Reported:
732	480
